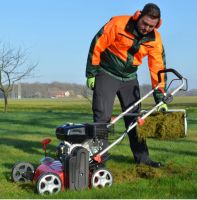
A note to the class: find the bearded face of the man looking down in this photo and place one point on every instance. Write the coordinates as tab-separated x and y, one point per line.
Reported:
145	24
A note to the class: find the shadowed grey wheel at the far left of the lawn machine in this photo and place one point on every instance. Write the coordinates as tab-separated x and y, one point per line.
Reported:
22	172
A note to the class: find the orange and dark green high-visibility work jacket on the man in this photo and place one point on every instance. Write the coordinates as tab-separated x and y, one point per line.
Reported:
118	50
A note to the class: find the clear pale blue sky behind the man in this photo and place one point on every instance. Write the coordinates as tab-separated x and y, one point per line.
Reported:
57	34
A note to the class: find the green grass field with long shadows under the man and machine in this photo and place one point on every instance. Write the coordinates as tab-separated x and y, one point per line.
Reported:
27	122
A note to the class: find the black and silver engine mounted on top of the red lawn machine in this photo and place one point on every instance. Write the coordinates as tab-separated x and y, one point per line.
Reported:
91	136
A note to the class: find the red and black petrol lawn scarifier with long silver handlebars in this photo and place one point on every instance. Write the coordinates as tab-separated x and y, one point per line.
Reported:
82	152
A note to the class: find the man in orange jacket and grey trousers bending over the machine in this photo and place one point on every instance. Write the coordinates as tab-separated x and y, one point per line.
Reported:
114	56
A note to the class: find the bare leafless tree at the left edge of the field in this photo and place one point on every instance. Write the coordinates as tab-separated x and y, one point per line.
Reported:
13	68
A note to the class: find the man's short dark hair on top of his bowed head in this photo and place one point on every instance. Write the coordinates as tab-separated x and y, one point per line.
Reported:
152	10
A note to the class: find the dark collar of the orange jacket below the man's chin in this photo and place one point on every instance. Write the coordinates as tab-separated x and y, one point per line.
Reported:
130	27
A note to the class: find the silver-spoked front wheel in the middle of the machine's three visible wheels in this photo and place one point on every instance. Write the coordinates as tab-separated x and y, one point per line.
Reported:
49	183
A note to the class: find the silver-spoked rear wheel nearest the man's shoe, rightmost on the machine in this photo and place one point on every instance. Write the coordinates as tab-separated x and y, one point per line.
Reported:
101	178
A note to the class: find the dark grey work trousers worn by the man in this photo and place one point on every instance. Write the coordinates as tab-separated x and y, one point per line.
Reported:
105	91
